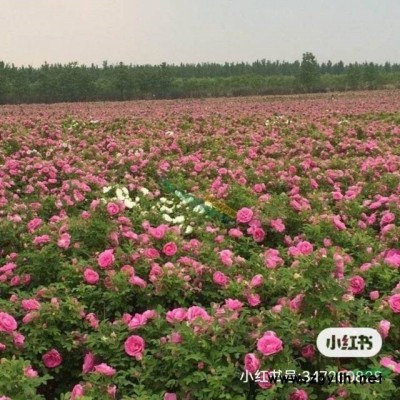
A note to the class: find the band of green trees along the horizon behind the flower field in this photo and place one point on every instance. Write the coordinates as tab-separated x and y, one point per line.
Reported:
71	82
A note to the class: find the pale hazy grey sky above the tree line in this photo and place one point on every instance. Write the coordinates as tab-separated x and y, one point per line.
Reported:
174	31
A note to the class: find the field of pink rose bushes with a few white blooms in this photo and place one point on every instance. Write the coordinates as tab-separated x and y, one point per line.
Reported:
164	249
